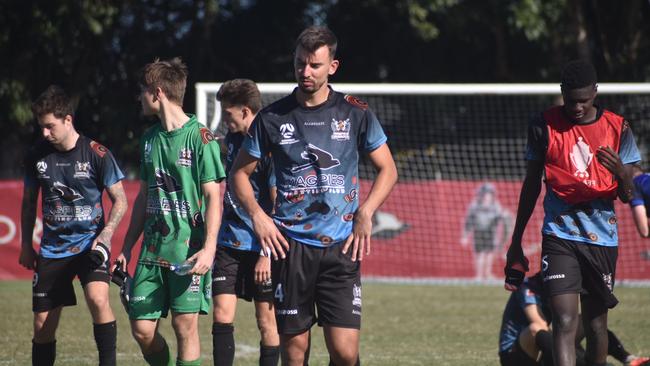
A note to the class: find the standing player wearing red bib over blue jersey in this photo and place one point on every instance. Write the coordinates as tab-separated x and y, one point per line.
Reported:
584	153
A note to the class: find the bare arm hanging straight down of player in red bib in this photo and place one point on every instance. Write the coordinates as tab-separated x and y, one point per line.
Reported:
530	190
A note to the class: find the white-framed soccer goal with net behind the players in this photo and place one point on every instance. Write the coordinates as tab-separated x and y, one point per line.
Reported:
459	150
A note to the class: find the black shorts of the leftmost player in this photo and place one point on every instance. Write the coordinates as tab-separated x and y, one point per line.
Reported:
52	285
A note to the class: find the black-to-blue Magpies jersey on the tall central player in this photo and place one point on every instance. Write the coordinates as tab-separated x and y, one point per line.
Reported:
315	154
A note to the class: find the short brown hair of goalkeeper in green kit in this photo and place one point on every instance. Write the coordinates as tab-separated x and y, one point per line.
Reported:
169	75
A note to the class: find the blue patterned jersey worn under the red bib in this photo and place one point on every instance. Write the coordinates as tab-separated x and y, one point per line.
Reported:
592	222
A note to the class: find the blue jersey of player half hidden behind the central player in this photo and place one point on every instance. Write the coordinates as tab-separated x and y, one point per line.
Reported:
236	226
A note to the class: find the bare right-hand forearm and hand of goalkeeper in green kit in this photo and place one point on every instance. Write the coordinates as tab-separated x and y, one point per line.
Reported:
205	256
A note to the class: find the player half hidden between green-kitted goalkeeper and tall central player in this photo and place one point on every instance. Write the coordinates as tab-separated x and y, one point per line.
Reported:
241	270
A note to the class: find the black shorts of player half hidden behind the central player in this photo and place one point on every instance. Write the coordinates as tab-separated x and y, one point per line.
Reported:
234	273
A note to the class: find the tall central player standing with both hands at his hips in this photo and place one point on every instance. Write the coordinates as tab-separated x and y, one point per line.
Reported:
315	137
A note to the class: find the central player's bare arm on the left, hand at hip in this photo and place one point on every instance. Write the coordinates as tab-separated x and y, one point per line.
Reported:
264	227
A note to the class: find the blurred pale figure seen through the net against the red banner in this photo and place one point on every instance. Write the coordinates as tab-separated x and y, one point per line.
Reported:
483	219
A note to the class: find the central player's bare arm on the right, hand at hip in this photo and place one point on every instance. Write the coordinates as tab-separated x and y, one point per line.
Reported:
383	161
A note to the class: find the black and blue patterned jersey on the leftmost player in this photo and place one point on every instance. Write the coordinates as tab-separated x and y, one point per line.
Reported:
71	184
